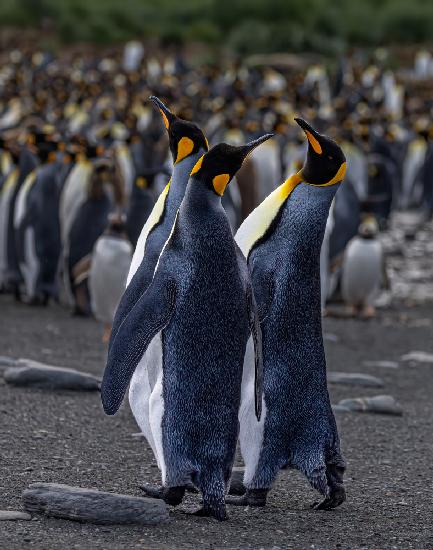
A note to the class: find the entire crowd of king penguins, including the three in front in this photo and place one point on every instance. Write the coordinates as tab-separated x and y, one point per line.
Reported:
218	333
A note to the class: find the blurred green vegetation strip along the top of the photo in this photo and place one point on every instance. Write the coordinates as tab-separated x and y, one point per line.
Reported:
246	26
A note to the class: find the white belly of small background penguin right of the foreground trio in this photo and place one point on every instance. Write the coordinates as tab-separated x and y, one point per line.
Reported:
362	271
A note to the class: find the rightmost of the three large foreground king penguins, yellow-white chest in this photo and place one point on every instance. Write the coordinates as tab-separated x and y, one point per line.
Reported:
282	239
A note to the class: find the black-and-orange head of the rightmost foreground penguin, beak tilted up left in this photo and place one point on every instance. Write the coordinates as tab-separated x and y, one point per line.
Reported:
325	163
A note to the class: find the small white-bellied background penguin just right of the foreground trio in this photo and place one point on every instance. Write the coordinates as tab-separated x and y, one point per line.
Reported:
362	269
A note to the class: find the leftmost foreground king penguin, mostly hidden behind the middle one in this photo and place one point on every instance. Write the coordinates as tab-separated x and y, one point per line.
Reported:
187	144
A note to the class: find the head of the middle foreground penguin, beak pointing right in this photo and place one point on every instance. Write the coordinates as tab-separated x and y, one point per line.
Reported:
218	166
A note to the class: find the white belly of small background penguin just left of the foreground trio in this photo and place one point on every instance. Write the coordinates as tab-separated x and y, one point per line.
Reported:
110	263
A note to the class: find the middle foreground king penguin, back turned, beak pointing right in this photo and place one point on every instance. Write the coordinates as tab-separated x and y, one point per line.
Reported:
195	320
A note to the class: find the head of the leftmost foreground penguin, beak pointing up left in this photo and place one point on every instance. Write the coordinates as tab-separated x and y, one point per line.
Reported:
185	138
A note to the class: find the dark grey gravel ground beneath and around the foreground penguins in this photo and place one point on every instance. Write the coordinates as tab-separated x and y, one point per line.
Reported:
64	437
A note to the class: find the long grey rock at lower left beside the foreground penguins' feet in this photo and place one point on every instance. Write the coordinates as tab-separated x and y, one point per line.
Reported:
92	506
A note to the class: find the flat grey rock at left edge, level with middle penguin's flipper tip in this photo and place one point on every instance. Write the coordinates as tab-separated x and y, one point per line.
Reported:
38	375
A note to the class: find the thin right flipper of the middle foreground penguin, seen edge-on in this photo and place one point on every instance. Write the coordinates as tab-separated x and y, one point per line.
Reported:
256	332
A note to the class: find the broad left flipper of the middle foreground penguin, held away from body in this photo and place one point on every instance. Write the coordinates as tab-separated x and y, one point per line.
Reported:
149	315
